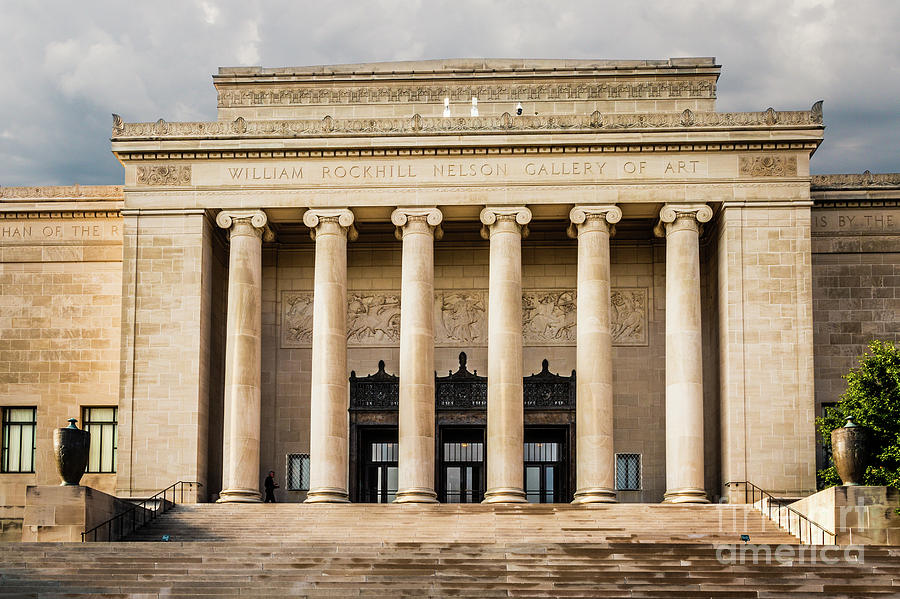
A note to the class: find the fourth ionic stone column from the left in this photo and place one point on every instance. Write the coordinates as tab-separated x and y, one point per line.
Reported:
505	227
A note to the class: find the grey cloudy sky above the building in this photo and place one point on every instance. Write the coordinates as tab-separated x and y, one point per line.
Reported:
65	66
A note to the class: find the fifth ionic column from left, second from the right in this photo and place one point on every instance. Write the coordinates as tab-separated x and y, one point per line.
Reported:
595	470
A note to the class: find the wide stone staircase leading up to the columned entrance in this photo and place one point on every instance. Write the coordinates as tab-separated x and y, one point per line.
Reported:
294	550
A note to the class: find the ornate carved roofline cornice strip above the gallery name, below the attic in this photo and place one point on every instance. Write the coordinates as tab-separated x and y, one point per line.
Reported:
506	124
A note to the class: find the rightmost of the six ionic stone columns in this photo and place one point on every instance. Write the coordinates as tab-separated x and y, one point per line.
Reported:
680	223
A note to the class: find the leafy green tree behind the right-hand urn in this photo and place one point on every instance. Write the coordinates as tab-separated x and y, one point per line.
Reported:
872	399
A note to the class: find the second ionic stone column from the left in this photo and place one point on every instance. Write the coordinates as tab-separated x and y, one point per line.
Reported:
330	392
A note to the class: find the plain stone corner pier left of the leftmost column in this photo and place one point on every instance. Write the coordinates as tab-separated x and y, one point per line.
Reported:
168	352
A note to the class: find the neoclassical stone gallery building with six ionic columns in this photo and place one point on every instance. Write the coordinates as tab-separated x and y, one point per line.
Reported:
609	290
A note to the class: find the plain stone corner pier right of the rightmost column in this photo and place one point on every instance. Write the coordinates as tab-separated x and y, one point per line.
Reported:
765	345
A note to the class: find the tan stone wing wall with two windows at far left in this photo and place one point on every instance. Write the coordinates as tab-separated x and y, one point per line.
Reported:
60	298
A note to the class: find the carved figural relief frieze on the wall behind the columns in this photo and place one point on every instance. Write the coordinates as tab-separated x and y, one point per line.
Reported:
460	318
